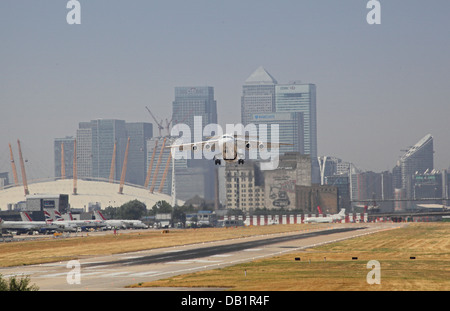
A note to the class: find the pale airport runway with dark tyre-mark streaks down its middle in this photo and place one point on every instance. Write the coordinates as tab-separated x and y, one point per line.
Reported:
114	272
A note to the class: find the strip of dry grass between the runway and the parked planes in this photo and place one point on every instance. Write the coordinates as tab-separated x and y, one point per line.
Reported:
51	250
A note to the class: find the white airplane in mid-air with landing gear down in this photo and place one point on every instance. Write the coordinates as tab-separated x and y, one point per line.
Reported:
229	147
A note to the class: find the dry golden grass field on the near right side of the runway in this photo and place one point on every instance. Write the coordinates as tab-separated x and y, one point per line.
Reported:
331	267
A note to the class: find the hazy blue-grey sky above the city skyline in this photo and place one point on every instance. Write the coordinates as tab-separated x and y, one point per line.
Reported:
380	88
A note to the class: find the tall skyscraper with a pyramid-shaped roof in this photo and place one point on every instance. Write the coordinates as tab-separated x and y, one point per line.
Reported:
258	95
